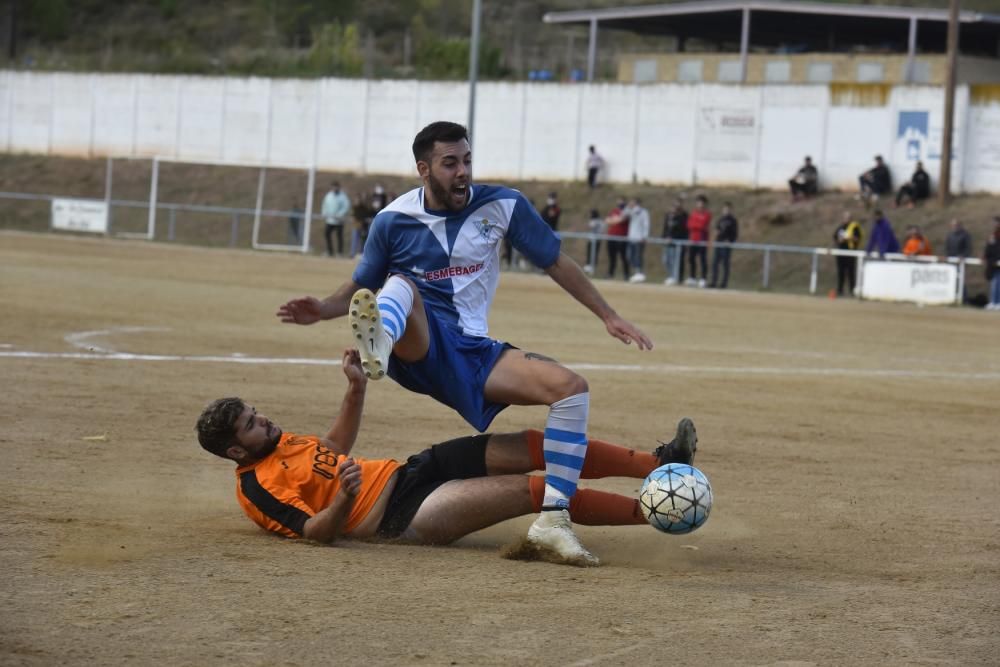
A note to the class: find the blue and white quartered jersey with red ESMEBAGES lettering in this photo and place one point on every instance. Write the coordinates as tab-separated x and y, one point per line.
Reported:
454	257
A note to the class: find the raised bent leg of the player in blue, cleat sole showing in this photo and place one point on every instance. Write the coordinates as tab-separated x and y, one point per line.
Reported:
393	321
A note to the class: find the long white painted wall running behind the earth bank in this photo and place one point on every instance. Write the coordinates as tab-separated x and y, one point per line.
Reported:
665	133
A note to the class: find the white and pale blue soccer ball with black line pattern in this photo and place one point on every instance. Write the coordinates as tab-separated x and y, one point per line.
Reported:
676	498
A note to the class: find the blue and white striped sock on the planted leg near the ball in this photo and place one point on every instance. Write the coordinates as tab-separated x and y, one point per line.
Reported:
565	447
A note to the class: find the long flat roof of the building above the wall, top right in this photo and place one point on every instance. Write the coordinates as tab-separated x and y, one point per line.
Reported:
797	26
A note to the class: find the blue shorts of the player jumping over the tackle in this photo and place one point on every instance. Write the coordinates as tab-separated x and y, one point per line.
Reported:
454	371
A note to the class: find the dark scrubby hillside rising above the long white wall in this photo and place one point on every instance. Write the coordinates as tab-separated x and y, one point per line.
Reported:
375	38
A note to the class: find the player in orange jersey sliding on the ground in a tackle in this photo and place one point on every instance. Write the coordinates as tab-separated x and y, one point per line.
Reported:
310	486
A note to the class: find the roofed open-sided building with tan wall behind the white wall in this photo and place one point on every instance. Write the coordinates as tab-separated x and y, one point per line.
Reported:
778	42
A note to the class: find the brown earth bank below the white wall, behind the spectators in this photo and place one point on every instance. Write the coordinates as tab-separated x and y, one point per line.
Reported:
765	216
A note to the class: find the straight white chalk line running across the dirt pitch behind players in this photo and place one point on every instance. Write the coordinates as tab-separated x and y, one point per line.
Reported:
621	368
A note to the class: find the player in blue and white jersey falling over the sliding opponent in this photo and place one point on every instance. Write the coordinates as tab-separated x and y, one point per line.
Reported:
433	255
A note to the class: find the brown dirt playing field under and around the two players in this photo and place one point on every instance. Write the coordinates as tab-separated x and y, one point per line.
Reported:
852	447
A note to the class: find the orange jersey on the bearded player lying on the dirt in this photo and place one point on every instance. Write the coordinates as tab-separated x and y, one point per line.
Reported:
298	479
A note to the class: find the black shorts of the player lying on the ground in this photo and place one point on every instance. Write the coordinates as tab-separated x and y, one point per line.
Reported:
461	458
